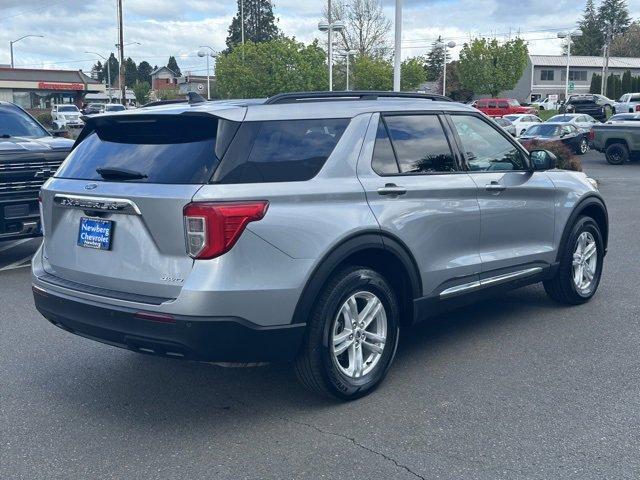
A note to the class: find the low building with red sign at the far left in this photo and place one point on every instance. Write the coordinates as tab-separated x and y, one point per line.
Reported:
35	89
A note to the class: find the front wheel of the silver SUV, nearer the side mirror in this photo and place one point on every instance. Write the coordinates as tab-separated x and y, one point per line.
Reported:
580	269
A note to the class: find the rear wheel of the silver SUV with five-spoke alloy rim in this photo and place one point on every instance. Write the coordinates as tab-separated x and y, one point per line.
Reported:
352	335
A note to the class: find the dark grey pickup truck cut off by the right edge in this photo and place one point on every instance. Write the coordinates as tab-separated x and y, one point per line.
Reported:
620	141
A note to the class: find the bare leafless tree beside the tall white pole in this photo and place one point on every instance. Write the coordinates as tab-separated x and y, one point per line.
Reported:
366	27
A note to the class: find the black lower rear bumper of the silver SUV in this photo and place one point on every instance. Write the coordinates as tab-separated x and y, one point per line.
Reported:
218	339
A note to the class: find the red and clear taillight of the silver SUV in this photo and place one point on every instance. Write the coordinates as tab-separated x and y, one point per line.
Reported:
213	228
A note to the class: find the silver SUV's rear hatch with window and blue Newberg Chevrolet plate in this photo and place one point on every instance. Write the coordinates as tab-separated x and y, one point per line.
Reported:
113	213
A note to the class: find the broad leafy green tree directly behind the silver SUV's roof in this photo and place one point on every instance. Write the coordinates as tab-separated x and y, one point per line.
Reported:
266	68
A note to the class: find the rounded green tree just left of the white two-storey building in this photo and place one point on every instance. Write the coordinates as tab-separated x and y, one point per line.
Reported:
488	67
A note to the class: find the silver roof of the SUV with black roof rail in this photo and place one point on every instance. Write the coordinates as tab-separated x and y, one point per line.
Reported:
258	109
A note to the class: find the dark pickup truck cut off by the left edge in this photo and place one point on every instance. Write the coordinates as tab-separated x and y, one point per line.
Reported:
29	154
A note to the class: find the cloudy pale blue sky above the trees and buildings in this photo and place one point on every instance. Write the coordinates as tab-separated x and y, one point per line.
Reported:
178	27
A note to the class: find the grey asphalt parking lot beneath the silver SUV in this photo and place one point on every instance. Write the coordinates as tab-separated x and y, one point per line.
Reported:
515	387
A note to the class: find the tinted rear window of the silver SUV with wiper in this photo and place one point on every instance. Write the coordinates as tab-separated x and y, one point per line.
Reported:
165	149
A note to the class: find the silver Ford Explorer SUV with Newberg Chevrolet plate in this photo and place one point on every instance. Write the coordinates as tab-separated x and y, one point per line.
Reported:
305	227
